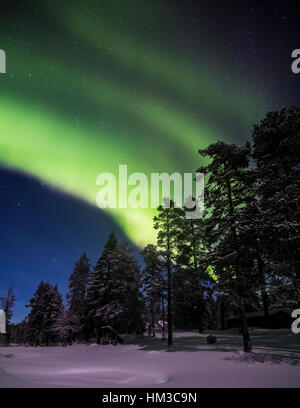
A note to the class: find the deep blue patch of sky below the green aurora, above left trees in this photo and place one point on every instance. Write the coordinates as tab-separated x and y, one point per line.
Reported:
43	232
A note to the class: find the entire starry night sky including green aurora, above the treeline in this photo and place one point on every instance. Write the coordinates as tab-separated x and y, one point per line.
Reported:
94	84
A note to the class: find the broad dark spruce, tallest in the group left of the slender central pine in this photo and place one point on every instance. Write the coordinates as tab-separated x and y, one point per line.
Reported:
113	296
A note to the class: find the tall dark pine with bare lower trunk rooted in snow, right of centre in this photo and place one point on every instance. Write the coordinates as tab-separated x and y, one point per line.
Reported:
228	191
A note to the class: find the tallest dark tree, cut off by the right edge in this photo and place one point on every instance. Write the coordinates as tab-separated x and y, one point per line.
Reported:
277	157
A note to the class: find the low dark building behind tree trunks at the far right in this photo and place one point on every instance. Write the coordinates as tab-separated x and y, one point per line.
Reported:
278	319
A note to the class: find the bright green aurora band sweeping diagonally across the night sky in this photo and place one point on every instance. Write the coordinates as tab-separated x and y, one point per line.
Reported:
89	87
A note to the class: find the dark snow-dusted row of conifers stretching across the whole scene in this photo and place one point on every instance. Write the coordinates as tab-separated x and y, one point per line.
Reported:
242	255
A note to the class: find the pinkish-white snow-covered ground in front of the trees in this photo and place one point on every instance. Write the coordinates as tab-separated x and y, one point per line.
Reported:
275	362
